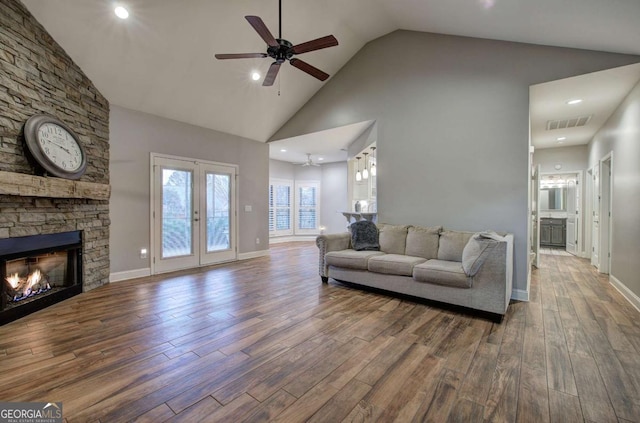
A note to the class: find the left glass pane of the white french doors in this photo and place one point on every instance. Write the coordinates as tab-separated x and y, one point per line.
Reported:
177	209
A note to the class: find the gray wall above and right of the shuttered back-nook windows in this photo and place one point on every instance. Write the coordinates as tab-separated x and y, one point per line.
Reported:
333	188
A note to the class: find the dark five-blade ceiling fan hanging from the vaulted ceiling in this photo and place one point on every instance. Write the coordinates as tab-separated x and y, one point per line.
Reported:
282	50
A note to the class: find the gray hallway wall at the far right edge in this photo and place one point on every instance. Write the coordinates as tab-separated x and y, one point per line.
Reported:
621	135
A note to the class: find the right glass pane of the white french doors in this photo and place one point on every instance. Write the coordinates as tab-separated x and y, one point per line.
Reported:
218	211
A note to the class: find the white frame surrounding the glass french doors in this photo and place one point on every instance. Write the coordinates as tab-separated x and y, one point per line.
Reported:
152	232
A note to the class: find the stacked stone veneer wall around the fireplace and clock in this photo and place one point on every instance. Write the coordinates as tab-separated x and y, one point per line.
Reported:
37	76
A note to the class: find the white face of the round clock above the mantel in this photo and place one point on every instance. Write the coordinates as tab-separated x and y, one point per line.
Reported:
59	146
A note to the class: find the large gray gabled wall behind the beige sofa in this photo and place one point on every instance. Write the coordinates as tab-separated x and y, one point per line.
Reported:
453	125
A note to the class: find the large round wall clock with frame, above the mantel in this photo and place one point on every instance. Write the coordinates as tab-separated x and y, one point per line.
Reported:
55	147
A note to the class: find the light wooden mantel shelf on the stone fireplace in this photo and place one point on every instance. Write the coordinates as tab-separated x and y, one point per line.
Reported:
38	186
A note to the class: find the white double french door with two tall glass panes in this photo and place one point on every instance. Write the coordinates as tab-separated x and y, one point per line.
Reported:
193	213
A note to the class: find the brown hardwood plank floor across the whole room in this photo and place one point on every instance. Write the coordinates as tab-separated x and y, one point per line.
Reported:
265	340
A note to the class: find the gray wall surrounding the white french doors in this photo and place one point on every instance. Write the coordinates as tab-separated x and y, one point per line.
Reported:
134	135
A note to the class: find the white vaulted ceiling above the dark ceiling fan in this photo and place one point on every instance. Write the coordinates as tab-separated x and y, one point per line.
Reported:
160	60
